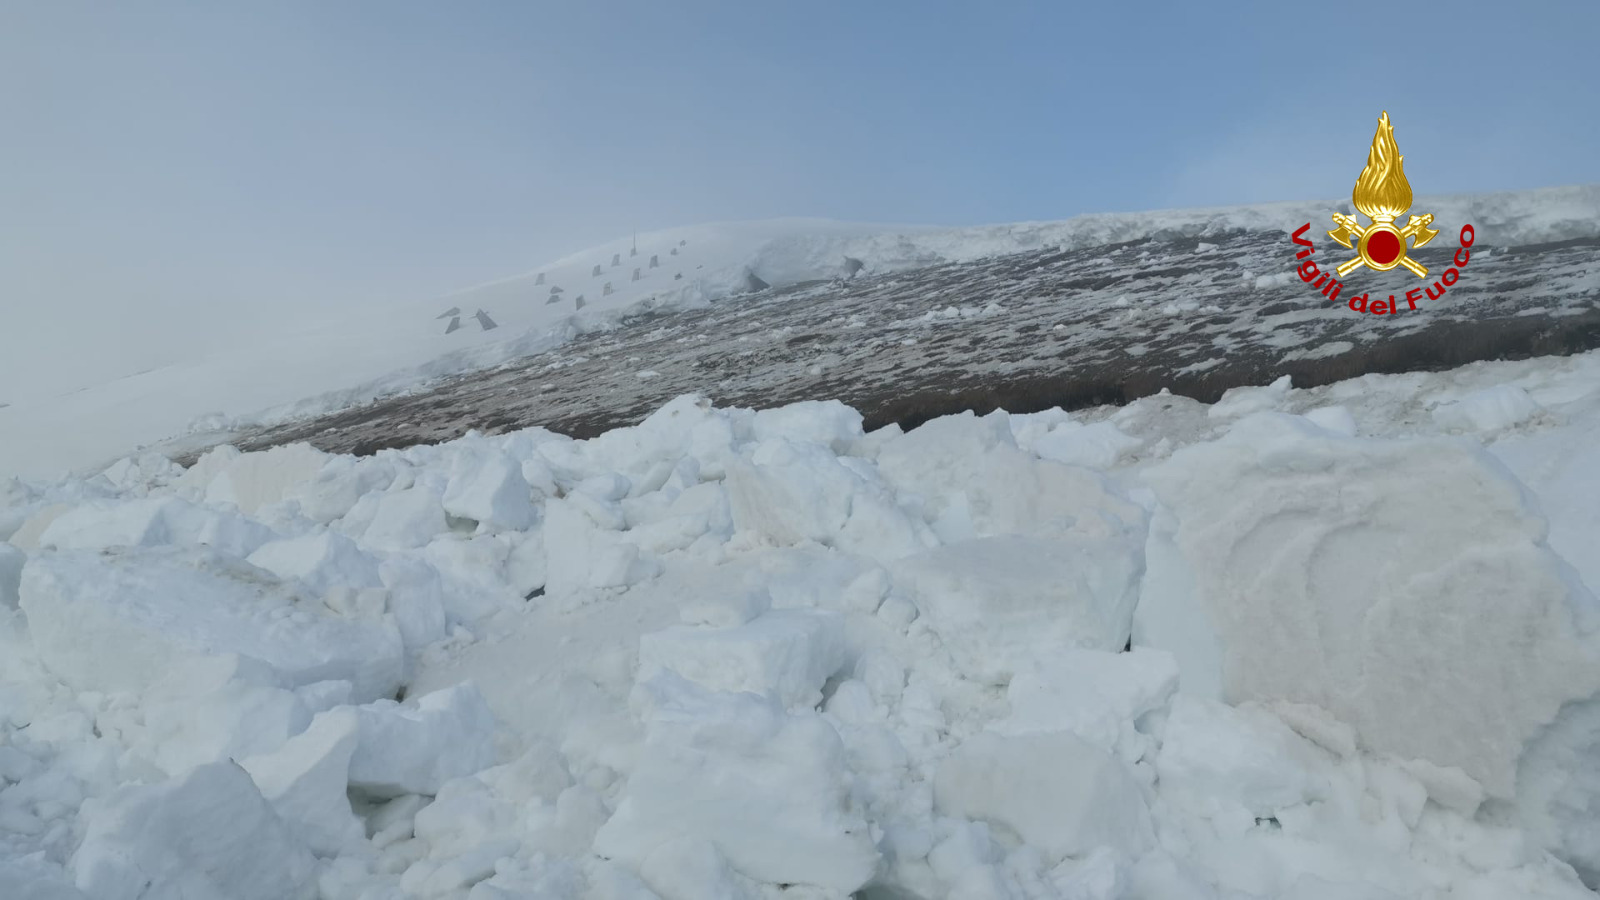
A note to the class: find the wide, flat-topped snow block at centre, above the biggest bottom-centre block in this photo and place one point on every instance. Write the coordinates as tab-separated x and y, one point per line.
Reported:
785	654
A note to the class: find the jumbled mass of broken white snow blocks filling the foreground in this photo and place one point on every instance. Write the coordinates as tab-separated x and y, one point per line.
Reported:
1297	645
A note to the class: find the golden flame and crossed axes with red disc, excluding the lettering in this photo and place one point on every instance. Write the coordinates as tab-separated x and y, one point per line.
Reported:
1383	195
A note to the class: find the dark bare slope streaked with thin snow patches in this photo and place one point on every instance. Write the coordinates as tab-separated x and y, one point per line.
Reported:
1026	331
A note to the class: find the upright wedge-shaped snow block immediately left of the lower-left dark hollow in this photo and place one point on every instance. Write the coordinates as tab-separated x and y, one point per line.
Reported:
306	782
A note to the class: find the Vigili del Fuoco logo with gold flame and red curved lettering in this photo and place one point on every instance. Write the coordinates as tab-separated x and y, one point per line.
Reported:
1382	195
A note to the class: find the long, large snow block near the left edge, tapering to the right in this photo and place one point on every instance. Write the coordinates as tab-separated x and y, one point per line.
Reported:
116	622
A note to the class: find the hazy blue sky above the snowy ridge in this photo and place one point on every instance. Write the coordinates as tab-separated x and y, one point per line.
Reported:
231	161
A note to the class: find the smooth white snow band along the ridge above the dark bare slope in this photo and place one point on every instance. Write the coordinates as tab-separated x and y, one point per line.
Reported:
316	368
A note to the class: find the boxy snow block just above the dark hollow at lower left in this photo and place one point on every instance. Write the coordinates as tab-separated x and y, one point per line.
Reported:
417	747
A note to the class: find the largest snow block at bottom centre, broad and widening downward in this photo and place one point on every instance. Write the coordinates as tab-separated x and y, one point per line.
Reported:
769	790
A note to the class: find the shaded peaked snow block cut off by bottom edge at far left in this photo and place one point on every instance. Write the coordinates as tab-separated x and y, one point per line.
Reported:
206	835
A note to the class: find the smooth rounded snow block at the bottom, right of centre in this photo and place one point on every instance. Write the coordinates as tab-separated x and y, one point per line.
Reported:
1054	790
